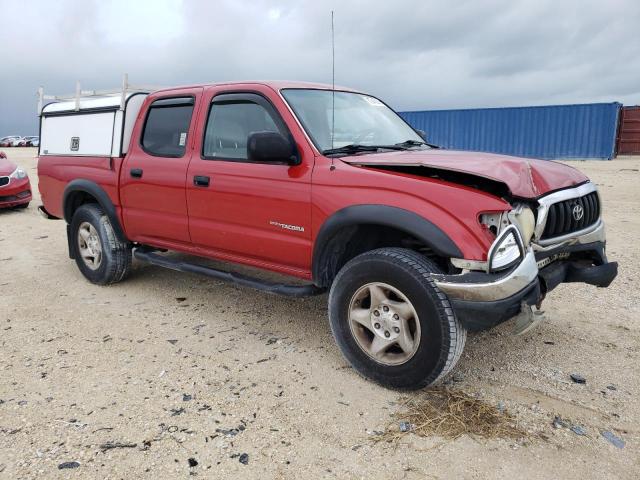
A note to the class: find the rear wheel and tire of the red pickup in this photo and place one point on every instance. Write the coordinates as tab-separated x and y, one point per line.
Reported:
114	261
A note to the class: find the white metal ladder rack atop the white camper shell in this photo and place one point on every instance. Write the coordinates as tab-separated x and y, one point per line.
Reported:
121	93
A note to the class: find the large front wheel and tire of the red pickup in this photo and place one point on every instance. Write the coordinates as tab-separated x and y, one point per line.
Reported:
435	335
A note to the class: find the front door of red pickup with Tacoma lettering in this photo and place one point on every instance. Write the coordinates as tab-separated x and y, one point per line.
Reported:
250	212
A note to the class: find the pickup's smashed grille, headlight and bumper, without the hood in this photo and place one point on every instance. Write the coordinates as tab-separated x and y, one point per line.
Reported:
562	240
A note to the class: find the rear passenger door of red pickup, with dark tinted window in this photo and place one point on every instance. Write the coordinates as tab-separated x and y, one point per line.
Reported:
153	177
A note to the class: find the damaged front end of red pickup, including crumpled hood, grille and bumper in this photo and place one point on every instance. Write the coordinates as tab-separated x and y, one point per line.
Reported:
552	234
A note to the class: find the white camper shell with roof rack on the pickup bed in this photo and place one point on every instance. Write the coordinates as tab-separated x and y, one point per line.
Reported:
90	123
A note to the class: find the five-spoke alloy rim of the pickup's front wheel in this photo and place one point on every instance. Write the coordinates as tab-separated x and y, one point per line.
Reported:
384	323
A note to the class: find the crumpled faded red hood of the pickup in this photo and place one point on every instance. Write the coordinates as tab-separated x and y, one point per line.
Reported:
525	177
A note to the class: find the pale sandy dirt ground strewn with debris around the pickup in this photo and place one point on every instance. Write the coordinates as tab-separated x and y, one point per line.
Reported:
169	367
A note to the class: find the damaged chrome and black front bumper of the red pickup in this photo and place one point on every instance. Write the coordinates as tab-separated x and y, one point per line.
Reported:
483	300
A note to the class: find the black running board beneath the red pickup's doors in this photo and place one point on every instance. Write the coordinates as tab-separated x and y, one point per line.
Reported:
237	278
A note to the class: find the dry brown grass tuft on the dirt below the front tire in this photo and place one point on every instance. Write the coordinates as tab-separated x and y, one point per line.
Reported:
450	414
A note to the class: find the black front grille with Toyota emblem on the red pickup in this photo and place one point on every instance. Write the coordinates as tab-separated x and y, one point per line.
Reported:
562	221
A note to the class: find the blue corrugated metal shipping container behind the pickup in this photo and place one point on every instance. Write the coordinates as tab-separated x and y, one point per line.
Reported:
556	131
